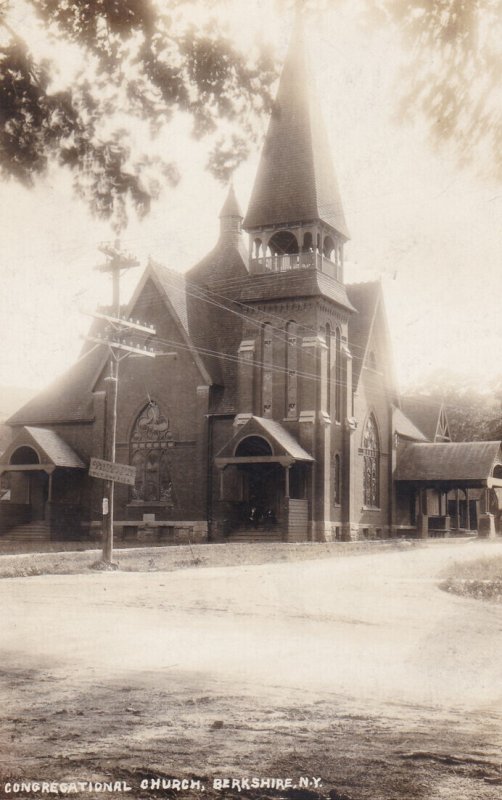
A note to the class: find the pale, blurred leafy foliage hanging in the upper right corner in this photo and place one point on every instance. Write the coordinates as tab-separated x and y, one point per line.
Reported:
452	77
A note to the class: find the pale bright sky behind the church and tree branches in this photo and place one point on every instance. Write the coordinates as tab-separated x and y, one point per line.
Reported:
429	230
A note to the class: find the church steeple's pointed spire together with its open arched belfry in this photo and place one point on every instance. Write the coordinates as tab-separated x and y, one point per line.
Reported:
295	197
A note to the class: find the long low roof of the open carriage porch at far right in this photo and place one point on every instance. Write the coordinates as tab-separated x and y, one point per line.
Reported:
450	461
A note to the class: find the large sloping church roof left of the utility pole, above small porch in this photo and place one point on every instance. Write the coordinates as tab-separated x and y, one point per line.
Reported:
69	398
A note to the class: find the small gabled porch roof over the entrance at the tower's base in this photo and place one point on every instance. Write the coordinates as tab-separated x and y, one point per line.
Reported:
284	446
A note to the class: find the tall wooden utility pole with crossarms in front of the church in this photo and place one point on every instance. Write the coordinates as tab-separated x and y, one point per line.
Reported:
114	337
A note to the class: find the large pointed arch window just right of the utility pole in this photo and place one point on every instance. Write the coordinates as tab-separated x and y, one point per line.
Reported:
150	439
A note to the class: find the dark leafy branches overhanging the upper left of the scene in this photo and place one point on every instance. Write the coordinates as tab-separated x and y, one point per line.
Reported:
138	63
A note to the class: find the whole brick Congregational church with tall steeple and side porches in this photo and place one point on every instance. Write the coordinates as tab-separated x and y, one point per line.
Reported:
272	411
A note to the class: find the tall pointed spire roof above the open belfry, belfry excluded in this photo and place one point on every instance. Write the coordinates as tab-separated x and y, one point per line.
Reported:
296	181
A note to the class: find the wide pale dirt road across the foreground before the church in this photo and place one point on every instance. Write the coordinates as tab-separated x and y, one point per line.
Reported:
356	675
